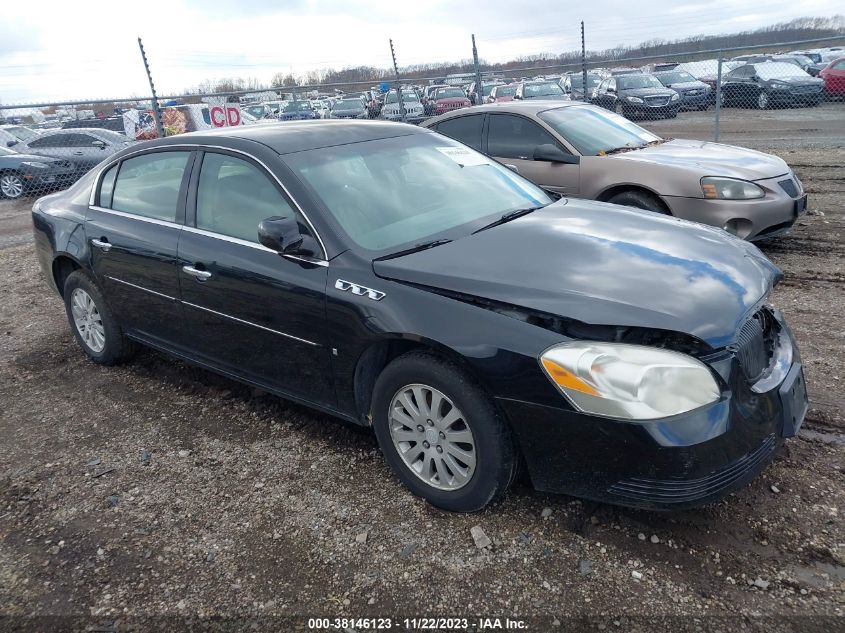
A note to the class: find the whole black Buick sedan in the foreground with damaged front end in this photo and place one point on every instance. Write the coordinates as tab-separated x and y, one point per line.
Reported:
626	357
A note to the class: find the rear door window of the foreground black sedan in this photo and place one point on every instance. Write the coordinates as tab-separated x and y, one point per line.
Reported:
149	185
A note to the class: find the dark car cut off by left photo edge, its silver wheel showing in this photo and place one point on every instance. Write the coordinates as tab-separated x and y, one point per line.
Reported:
22	174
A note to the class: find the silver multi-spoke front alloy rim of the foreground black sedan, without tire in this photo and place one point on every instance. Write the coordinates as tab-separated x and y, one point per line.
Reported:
432	436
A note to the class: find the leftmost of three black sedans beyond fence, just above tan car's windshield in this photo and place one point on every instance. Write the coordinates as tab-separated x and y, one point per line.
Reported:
631	95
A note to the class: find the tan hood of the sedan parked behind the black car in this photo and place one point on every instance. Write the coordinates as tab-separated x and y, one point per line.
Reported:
711	159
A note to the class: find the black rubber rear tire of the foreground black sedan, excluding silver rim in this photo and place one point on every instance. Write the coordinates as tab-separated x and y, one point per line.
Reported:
116	347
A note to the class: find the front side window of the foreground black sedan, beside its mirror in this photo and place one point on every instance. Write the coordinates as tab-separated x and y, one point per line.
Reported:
234	196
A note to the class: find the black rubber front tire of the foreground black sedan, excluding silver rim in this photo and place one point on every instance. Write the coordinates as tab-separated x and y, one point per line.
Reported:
496	455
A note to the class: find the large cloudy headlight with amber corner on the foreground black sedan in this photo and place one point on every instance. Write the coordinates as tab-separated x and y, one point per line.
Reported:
631	382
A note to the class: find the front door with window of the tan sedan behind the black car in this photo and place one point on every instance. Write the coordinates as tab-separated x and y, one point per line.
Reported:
512	139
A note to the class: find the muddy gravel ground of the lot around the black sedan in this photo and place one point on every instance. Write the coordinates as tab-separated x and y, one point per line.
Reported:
153	492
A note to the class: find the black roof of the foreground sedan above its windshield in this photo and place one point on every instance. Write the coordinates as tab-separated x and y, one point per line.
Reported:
297	136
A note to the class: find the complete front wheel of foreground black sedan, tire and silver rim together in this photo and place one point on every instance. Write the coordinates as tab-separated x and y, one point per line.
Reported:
451	481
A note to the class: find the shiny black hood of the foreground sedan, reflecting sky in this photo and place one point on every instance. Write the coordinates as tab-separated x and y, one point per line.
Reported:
605	265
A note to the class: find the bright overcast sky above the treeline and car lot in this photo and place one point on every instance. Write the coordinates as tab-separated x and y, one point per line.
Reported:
73	49
